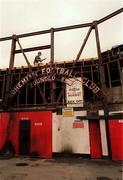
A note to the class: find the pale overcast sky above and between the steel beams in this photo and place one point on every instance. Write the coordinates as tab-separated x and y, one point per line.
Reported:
23	16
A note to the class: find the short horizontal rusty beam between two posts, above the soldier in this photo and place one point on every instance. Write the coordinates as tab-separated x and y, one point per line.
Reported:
33	49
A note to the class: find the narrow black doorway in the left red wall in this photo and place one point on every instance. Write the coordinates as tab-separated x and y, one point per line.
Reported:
24	137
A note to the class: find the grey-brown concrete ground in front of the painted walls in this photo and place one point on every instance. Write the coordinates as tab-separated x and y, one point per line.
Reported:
59	169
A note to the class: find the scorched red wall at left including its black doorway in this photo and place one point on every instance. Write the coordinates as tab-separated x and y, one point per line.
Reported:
30	133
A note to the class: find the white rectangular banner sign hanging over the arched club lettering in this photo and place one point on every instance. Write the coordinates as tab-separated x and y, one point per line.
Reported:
74	92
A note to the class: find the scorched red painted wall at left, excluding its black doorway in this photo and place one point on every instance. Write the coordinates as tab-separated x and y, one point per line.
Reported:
41	131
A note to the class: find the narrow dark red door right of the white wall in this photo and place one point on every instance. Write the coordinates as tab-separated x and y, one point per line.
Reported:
95	139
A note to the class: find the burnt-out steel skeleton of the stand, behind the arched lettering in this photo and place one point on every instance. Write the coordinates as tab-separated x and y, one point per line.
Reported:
52	93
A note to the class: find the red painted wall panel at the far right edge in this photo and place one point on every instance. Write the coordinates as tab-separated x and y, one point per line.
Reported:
116	138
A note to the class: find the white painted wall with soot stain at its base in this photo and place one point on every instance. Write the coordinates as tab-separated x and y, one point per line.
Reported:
67	138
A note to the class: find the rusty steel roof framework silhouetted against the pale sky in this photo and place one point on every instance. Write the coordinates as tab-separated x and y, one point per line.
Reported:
92	26
